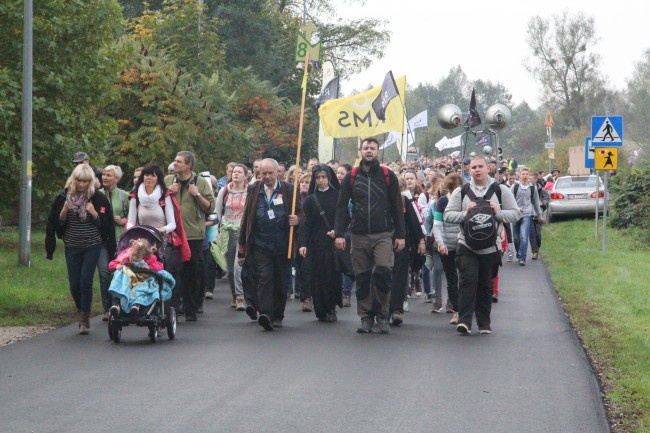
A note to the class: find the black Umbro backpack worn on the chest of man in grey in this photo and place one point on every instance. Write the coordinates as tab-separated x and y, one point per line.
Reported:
480	225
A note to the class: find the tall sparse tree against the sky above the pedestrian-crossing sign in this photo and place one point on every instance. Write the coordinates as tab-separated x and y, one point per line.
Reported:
564	63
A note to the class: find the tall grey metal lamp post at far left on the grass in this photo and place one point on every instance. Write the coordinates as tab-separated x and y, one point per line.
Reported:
25	223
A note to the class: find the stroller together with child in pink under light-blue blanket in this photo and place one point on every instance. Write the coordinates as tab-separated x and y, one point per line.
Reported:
140	286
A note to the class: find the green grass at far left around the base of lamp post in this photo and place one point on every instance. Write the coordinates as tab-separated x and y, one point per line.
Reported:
39	294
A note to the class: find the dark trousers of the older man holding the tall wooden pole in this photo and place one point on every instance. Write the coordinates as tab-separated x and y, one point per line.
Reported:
271	273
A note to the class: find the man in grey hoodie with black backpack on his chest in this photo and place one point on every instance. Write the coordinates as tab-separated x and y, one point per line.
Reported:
481	207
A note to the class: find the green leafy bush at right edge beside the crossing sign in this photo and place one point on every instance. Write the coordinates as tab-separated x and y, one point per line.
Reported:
631	191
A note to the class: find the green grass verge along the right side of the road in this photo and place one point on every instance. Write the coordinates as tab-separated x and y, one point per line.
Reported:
606	297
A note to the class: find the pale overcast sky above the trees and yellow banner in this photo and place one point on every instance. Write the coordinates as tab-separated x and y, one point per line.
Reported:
429	37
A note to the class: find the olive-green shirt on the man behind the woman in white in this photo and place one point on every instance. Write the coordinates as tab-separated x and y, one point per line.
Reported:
191	213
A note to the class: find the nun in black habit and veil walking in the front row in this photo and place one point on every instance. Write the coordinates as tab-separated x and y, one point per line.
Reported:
316	242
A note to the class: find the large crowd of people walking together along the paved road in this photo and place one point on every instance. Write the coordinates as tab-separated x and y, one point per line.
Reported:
387	233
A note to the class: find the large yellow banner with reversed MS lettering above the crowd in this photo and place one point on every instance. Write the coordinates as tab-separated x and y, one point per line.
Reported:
354	117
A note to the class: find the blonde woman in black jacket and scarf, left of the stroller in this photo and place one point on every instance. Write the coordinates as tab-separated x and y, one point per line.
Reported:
83	218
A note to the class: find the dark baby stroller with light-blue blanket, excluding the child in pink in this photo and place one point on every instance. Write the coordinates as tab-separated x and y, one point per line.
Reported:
156	314
